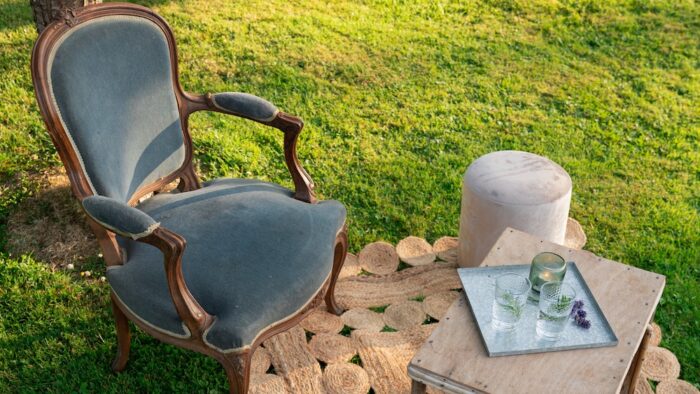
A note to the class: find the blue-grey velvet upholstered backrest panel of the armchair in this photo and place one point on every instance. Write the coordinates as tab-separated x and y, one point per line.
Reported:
112	83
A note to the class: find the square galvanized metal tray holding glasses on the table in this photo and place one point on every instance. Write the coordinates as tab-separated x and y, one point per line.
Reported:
479	287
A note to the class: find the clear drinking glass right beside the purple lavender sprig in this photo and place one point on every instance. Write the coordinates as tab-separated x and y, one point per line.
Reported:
556	299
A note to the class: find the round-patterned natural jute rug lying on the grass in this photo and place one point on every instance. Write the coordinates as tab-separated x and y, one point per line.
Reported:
387	318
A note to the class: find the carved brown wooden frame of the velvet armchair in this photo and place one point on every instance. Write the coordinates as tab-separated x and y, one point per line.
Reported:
172	245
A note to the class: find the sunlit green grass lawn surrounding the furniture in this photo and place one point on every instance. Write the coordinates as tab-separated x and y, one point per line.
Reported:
398	98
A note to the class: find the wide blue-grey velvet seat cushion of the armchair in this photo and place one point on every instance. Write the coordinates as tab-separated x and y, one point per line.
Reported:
254	257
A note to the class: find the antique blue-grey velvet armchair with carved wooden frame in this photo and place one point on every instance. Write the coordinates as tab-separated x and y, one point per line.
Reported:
215	267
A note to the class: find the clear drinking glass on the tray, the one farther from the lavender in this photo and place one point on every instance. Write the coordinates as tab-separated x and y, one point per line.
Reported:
509	302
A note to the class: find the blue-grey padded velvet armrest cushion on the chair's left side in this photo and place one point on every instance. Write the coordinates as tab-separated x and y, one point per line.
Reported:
119	217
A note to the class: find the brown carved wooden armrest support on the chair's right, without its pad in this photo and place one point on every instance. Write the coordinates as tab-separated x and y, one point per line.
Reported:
290	125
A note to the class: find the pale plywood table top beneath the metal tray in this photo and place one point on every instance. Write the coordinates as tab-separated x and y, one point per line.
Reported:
455	358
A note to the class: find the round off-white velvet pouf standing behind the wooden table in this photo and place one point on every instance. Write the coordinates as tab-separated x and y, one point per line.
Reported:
511	189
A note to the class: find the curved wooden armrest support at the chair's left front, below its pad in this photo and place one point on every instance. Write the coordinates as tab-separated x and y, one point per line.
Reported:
188	309
